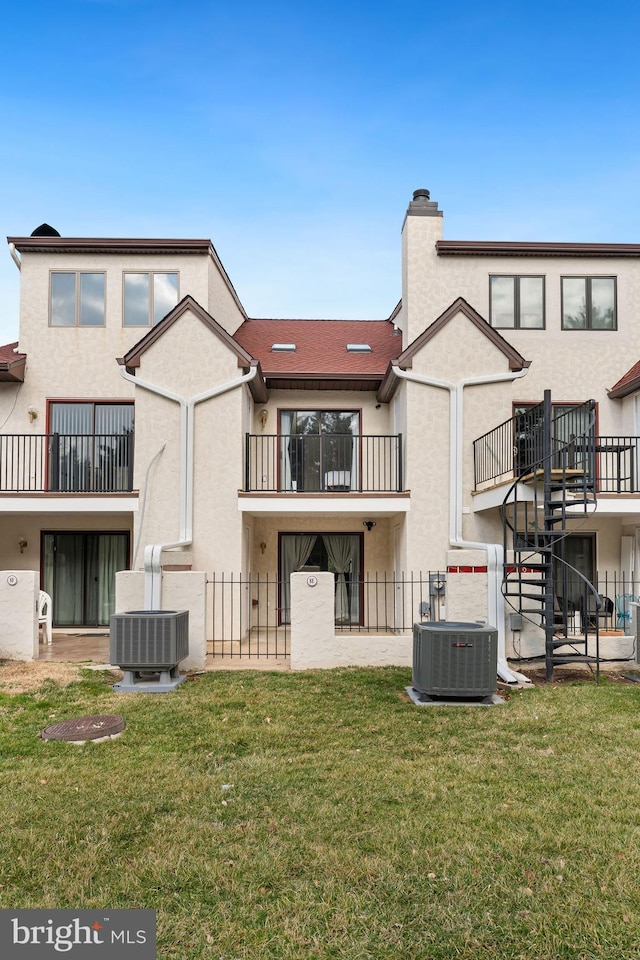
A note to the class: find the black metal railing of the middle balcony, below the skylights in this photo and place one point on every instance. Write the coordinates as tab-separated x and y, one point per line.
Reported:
323	463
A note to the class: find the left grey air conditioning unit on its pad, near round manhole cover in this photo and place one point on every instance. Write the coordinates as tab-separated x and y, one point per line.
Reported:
148	642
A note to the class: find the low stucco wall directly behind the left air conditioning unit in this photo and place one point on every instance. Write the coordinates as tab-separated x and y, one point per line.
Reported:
180	591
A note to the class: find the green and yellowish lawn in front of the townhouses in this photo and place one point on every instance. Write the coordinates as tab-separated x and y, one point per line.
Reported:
322	815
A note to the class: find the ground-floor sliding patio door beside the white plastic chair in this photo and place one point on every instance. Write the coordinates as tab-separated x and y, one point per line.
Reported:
79	573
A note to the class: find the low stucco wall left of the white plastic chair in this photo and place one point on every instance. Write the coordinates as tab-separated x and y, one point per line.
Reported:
19	590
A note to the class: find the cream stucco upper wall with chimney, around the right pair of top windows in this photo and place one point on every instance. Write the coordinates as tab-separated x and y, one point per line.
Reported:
575	364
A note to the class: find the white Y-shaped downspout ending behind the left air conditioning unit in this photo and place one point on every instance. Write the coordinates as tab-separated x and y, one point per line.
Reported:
153	552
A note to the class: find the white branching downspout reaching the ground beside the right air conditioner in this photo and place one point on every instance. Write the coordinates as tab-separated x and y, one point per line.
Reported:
495	552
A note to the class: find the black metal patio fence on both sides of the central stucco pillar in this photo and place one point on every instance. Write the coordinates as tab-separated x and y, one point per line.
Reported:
250	616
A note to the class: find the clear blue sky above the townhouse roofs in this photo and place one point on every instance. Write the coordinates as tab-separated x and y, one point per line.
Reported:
293	134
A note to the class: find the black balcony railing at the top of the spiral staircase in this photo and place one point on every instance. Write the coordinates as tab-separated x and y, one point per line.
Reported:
512	450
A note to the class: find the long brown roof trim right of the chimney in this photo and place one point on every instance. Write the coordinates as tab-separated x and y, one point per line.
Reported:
508	248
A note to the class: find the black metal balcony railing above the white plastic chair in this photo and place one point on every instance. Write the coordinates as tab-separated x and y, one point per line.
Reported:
66	463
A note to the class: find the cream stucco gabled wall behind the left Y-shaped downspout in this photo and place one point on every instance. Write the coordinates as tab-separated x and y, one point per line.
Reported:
188	360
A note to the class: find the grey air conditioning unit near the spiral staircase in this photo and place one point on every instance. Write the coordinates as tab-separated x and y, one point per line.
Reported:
455	660
